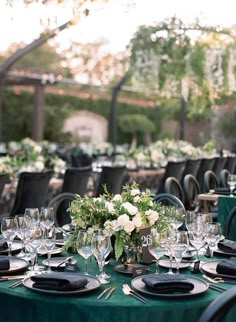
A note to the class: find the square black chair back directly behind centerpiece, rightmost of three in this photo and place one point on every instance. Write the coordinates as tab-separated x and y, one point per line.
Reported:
112	178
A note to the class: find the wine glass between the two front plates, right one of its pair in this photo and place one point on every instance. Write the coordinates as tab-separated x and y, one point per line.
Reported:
100	247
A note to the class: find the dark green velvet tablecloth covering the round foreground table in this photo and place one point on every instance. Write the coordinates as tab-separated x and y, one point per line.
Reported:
23	304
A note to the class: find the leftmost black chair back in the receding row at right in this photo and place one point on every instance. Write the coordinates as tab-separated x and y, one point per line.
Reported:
173	169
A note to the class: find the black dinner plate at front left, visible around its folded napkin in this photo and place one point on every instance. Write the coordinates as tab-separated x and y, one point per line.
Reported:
93	284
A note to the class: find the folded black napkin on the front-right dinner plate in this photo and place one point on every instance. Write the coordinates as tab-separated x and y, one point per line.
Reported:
164	283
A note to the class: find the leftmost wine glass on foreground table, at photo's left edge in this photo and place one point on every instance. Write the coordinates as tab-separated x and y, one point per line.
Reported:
9	231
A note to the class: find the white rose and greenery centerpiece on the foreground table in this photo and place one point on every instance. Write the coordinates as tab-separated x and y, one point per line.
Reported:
121	215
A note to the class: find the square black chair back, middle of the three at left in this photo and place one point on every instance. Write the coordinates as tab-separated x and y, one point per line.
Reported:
76	180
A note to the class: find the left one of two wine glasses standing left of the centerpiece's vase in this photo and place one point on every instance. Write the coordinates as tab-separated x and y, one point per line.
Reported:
83	245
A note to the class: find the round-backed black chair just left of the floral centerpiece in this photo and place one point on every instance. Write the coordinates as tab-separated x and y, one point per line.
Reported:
60	205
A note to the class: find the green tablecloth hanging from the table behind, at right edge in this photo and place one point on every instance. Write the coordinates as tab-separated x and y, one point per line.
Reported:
225	205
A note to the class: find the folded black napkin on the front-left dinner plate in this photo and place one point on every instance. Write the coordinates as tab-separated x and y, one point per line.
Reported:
57	281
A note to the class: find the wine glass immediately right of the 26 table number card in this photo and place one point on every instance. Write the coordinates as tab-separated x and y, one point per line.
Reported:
156	246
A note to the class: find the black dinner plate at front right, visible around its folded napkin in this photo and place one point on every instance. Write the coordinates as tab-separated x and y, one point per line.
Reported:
200	287
